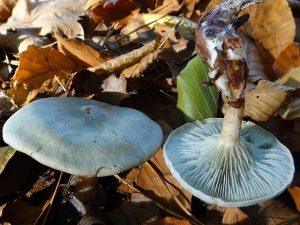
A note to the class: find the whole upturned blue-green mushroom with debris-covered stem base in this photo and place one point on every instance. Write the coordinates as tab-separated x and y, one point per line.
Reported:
227	162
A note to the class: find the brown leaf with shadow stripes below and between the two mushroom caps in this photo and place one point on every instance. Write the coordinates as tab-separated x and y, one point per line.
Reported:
156	182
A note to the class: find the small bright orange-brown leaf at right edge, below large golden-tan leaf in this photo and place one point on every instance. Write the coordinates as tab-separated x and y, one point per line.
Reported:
289	58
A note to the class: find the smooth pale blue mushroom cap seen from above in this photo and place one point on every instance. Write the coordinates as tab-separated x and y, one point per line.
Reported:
83	137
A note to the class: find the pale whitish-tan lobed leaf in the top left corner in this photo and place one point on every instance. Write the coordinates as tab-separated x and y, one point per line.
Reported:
49	16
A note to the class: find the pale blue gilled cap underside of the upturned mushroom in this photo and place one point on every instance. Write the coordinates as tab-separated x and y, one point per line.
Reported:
256	169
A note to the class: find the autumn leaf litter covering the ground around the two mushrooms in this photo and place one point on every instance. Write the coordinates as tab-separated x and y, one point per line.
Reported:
49	48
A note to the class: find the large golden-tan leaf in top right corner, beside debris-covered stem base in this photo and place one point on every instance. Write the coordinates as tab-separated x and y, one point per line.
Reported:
272	25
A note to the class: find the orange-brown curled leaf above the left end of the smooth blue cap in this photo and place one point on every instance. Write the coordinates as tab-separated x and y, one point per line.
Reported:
41	70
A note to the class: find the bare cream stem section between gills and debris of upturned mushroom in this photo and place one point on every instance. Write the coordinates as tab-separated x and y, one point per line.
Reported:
230	132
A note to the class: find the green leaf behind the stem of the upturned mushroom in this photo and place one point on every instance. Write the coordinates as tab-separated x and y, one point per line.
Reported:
196	101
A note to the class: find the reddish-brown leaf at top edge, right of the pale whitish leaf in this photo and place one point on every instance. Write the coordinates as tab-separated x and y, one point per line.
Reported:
111	11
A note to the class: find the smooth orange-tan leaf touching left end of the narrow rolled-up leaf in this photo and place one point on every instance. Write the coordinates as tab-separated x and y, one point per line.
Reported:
80	53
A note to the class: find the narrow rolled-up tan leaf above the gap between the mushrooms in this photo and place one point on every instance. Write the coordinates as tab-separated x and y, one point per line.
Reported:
122	62
